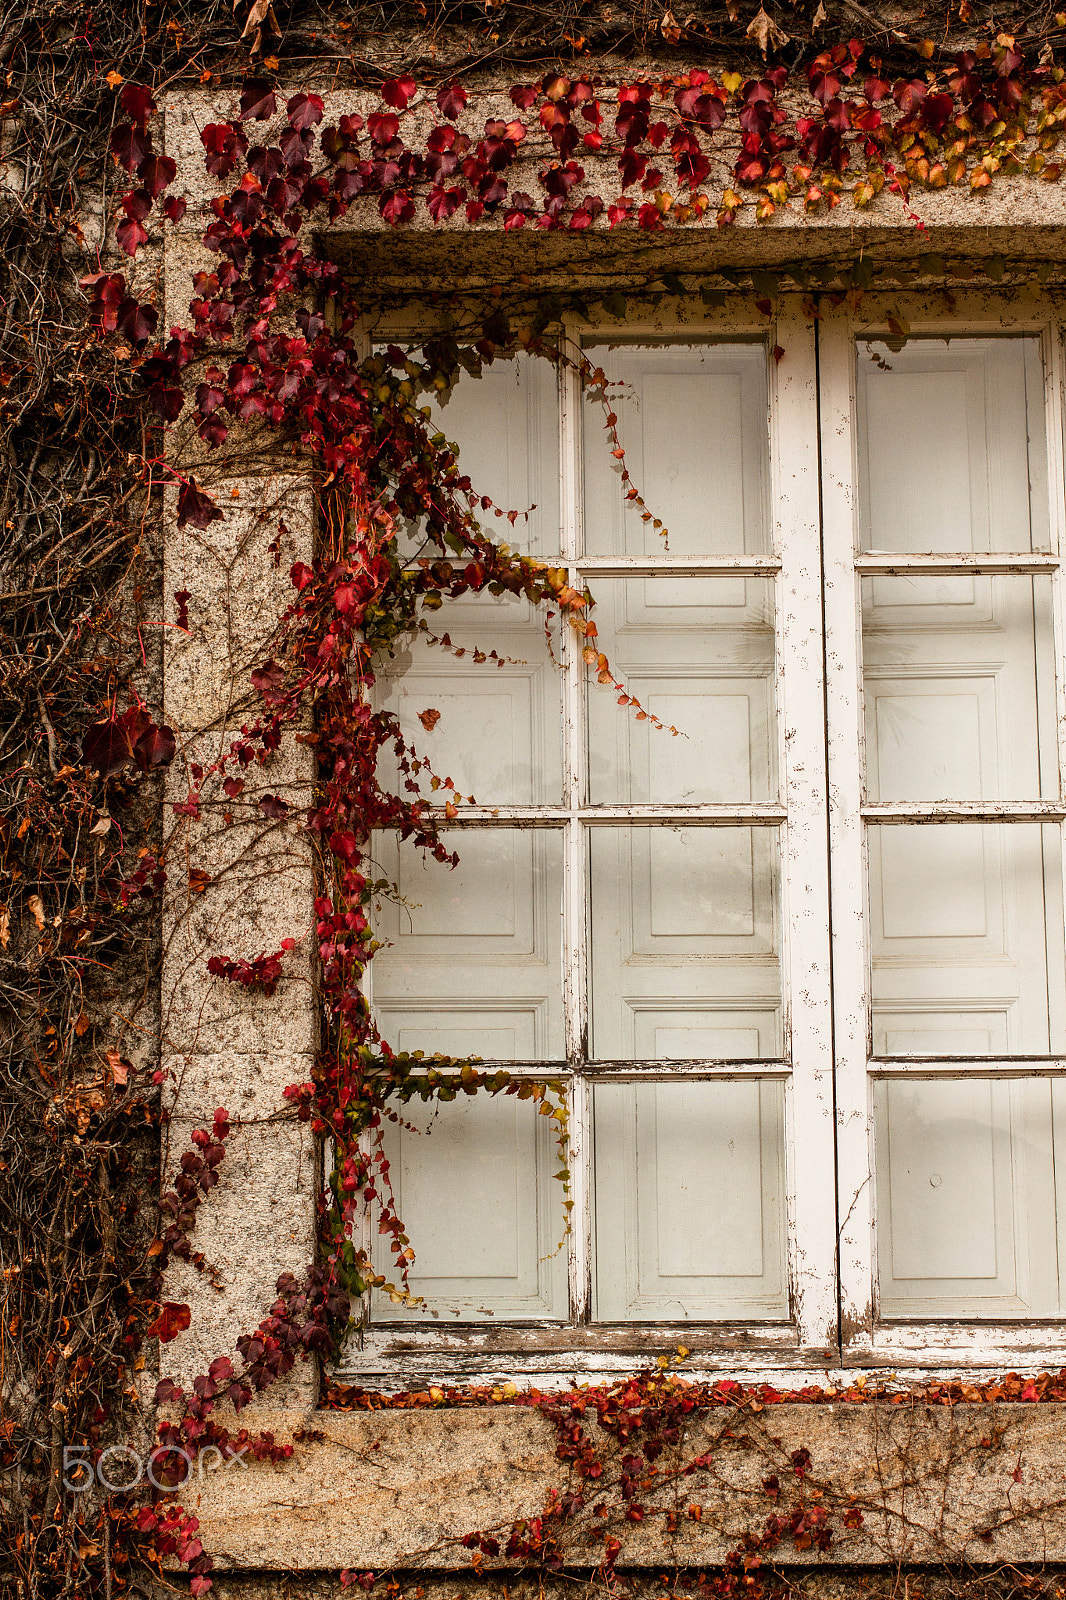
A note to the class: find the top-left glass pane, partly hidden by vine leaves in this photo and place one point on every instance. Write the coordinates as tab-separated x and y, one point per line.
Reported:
507	428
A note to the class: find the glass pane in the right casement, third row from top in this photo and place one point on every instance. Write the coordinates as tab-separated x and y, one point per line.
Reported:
968	940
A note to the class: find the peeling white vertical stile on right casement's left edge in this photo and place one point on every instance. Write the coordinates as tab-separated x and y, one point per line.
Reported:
848	844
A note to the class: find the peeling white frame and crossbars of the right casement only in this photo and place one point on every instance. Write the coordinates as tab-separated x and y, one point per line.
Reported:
865	1338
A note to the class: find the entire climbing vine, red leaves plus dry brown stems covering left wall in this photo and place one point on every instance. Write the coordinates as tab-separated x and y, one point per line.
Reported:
260	358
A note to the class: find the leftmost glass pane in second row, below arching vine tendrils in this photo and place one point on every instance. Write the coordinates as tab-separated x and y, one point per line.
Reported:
500	729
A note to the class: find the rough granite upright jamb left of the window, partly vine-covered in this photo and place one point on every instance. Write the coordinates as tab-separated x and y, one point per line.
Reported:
247	886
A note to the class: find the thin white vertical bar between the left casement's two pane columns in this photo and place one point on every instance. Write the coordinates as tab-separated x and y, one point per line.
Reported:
575	863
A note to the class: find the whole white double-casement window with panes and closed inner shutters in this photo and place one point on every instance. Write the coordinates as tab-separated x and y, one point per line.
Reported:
801	966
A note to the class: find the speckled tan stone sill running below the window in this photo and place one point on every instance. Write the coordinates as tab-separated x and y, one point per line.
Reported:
401	1489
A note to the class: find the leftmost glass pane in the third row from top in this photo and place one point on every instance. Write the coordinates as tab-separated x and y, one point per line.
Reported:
475	956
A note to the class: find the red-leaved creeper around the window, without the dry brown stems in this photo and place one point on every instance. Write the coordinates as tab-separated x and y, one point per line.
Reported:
567	150
